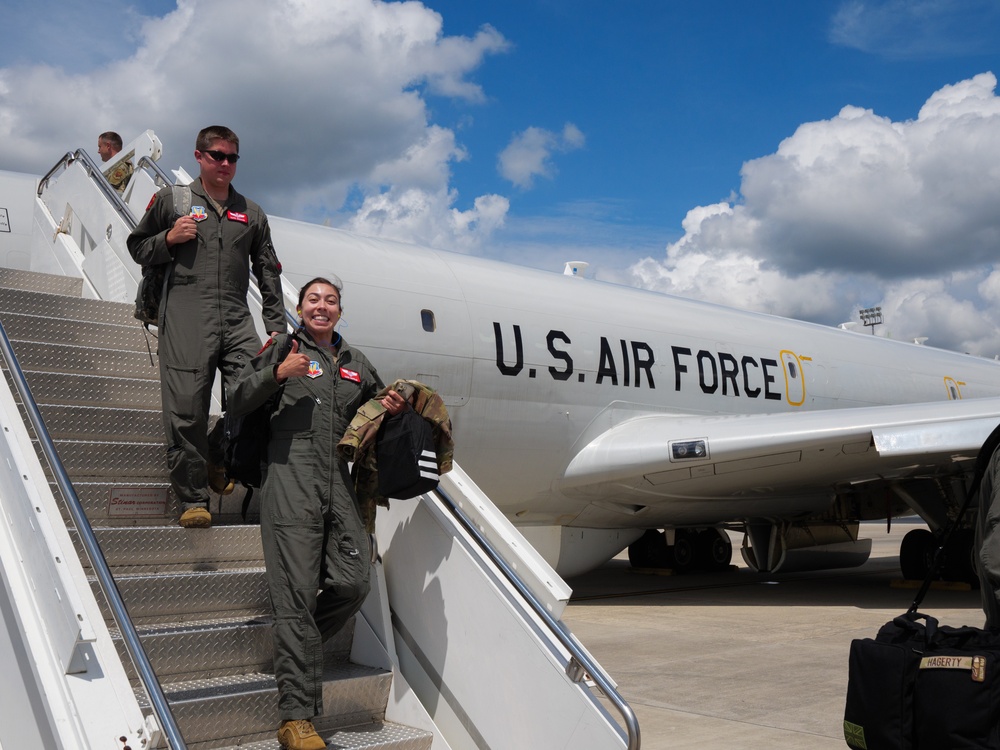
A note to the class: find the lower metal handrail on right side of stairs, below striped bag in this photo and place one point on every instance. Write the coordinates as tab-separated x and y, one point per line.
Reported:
581	664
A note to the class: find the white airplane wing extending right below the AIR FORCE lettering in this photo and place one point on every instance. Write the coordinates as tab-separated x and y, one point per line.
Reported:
754	464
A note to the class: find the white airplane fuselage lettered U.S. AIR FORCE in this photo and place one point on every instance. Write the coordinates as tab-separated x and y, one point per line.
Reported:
534	365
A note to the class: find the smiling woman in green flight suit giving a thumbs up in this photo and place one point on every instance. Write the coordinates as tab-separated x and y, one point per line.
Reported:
312	533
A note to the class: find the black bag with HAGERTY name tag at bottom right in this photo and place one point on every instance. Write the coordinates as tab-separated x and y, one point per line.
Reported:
921	686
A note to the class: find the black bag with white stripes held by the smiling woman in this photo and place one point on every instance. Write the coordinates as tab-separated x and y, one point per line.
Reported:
405	455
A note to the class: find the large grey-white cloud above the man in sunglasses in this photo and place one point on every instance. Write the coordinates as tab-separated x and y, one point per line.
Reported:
328	98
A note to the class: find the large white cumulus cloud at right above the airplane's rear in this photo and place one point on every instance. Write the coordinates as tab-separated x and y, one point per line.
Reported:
860	210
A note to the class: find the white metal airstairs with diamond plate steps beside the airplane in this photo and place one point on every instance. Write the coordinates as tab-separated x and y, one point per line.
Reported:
459	645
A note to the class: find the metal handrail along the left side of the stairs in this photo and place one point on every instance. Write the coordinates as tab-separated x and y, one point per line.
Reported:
129	634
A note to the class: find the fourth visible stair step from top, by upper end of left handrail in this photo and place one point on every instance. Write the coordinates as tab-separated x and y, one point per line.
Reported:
86	360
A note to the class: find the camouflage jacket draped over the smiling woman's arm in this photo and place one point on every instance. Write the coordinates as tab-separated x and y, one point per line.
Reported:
358	443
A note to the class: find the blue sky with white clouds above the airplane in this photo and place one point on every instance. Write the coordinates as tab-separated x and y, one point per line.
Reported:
798	158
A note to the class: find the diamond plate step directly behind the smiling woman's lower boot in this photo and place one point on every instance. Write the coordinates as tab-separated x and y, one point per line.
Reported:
219	711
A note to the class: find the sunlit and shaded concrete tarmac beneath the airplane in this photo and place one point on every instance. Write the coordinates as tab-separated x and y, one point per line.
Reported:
742	660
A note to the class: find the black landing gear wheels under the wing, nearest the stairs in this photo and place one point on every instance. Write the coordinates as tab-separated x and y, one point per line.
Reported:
706	550
